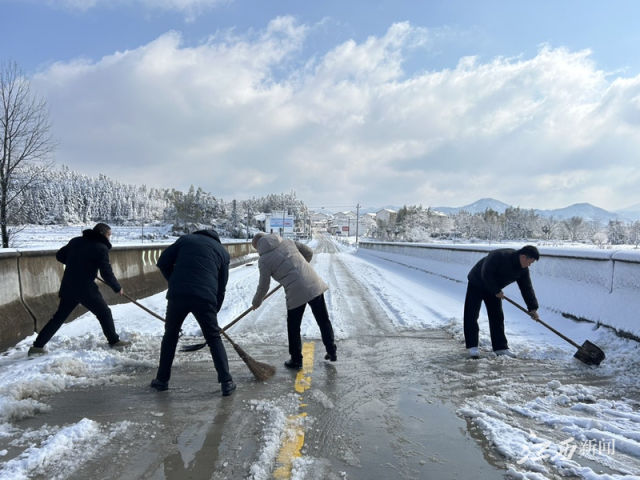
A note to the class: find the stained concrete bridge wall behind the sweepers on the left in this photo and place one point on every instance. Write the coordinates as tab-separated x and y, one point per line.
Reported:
30	280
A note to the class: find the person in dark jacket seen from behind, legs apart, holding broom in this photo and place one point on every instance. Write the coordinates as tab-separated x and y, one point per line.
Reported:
197	269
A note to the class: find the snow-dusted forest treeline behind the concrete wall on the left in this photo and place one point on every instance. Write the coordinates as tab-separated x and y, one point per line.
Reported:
66	197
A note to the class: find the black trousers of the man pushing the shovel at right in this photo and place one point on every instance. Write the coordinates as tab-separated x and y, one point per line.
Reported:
472	303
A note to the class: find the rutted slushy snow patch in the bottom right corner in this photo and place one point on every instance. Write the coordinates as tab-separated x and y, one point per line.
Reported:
560	430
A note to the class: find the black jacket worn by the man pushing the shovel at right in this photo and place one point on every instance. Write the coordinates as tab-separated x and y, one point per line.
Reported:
501	268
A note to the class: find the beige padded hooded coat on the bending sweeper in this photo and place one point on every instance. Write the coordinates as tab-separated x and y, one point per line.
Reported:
288	263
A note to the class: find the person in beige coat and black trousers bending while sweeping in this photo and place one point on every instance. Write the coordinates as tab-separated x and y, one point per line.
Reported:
288	263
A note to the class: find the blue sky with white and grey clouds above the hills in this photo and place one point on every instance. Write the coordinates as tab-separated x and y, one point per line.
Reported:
536	104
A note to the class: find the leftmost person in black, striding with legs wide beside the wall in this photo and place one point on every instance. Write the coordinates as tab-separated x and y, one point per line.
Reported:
84	256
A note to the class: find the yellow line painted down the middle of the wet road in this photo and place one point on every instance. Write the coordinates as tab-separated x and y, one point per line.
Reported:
292	445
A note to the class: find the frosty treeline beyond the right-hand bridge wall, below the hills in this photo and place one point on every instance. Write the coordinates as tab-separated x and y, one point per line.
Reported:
417	224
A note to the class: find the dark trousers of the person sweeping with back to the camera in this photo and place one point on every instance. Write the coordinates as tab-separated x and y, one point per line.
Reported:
207	316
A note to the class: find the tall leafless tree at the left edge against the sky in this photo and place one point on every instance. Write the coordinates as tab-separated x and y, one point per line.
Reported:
26	143
